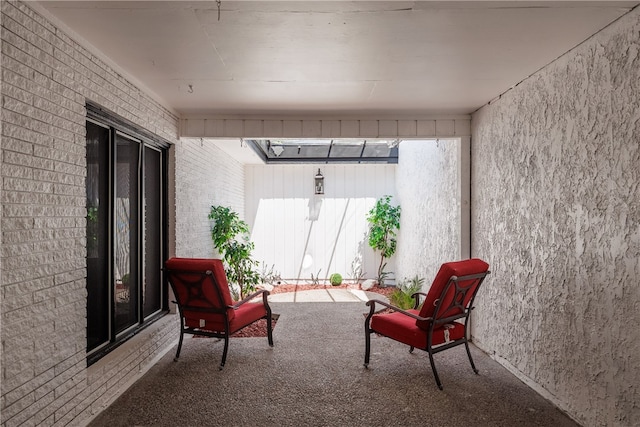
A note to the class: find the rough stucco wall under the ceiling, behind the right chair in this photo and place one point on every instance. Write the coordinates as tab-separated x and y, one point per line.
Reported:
556	213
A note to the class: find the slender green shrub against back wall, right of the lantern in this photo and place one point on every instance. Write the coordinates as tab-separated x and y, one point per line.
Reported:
384	220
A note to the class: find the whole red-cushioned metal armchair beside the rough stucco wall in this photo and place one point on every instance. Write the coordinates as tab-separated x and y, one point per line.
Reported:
442	321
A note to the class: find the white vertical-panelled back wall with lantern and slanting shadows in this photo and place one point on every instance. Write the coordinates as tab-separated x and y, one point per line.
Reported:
299	234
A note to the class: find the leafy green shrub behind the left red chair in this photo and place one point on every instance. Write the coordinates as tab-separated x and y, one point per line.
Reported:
230	237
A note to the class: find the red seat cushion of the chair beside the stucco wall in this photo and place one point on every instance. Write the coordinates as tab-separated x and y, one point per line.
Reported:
403	328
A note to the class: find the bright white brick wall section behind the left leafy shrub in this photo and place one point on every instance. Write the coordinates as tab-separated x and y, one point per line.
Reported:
205	176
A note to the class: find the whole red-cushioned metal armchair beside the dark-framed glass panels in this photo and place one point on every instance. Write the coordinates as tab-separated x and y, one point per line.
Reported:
205	304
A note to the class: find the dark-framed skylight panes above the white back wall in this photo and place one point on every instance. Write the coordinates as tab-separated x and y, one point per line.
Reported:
326	150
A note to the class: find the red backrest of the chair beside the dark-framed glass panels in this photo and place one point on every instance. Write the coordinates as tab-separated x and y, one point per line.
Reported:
201	290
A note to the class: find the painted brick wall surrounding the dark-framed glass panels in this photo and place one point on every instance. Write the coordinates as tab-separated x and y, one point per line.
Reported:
46	80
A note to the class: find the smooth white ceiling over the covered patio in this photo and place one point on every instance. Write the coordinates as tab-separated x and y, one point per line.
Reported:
331	58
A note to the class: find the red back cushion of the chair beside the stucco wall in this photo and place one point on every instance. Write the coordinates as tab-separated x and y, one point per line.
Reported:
456	268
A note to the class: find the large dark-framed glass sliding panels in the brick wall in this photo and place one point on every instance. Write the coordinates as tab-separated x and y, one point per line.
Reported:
126	176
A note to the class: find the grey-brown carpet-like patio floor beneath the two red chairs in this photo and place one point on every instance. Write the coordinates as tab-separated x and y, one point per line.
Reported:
314	377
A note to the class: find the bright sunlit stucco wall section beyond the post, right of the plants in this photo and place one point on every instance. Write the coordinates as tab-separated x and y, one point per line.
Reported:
429	194
